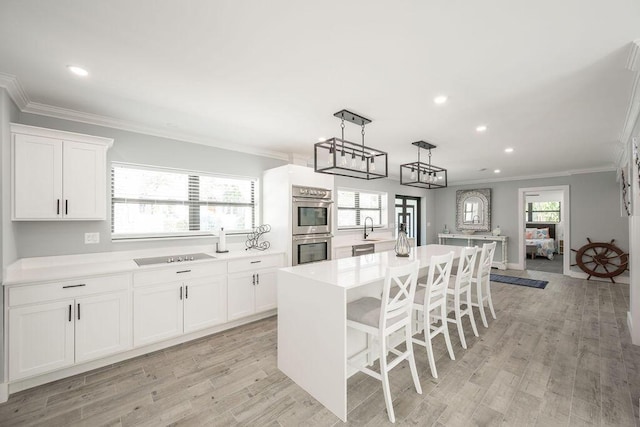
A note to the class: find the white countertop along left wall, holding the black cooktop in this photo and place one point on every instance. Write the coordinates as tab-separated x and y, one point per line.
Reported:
45	269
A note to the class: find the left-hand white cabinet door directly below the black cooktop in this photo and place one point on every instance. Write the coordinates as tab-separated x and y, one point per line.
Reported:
157	313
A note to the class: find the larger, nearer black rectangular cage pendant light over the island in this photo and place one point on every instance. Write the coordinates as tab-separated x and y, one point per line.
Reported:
337	156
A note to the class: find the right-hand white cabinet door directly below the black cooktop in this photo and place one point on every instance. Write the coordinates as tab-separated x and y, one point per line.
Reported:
205	302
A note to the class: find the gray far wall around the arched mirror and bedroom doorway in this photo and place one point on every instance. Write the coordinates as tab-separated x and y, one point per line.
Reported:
594	206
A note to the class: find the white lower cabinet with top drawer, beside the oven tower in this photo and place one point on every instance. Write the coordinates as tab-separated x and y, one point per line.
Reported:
252	286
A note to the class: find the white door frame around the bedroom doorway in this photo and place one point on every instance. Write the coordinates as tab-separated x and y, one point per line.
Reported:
565	214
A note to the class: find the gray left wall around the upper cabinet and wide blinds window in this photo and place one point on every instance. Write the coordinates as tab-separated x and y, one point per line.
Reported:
67	237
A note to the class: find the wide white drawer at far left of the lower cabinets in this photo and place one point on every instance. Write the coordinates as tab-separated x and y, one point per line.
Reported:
28	294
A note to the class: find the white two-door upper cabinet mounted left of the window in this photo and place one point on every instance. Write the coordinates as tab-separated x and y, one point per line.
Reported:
58	175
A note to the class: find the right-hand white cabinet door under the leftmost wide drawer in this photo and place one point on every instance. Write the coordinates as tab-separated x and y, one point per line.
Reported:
103	325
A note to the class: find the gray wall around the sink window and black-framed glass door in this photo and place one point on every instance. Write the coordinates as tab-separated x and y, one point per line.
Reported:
393	188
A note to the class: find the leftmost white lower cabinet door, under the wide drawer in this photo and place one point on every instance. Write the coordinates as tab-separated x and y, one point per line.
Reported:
40	338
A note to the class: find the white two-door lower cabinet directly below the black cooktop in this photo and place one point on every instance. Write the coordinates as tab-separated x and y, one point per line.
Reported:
167	310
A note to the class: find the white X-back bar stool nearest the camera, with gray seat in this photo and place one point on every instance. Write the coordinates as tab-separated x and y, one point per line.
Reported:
381	318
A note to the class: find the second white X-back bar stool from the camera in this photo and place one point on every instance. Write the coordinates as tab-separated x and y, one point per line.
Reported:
433	296
